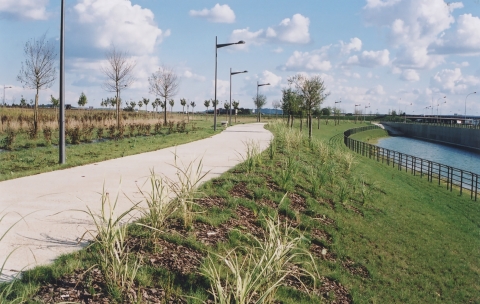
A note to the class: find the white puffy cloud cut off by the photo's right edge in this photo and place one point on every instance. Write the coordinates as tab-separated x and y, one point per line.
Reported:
464	40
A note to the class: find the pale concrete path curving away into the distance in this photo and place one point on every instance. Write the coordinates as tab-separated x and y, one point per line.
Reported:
48	201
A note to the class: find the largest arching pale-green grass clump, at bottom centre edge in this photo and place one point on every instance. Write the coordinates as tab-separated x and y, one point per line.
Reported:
253	273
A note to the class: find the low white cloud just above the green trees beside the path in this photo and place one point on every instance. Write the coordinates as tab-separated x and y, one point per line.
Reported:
316	60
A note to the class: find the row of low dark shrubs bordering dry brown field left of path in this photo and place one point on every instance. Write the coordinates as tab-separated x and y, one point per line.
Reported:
89	133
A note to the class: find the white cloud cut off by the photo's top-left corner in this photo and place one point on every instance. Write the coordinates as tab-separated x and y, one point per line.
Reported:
25	9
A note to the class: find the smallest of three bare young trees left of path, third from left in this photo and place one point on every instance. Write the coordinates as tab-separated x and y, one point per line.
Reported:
164	83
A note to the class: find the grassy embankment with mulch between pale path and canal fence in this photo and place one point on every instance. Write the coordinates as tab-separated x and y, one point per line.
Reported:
377	235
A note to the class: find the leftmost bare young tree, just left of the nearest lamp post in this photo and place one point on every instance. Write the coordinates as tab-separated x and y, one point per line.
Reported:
38	70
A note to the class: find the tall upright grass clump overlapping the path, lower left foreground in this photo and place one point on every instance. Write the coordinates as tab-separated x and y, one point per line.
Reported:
109	237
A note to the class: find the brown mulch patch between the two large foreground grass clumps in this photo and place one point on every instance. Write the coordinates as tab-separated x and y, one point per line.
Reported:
174	257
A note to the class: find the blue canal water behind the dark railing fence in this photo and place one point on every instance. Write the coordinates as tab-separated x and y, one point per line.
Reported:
444	154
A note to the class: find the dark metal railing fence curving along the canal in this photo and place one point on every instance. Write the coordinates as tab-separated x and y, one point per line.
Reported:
464	181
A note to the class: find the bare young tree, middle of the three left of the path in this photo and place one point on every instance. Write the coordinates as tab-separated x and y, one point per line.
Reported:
119	73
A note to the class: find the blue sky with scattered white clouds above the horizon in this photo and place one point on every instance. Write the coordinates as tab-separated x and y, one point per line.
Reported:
389	54
